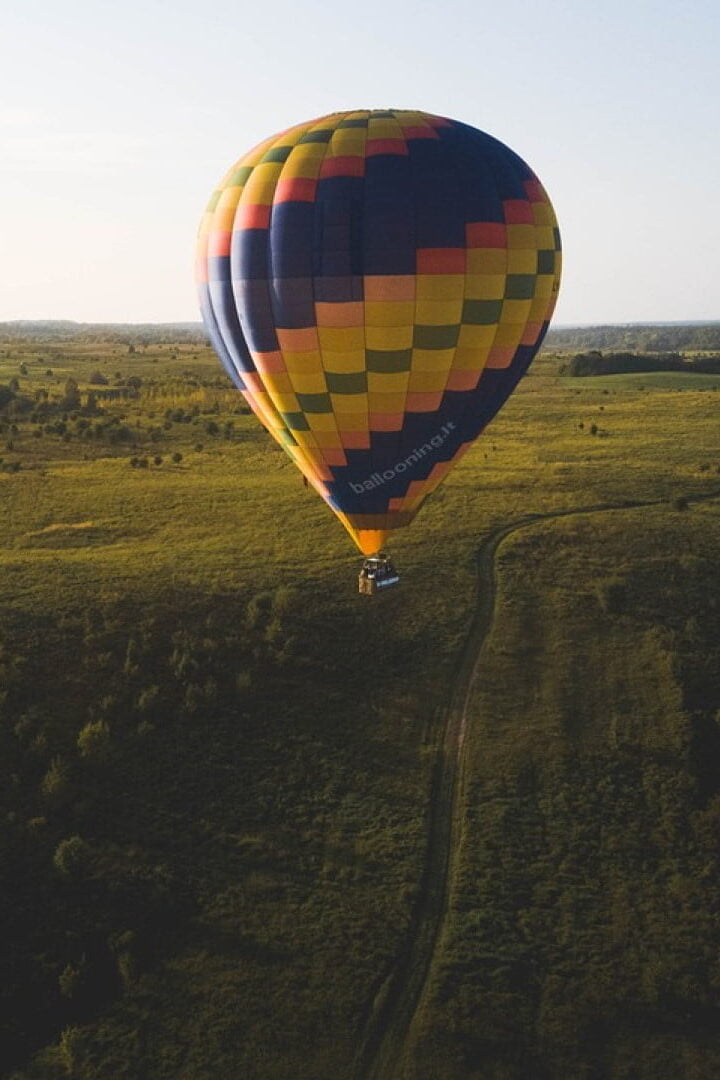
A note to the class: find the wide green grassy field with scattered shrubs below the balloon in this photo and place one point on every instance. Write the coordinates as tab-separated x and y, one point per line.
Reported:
218	760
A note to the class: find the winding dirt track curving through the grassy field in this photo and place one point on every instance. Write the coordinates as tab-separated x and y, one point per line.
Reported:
391	1014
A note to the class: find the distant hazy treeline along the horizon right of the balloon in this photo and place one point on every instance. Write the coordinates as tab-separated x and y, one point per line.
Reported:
669	337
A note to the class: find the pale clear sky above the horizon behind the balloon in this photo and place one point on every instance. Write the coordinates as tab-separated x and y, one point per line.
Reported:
117	120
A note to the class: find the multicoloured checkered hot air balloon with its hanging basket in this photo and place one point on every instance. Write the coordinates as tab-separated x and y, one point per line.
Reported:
376	283
